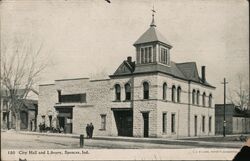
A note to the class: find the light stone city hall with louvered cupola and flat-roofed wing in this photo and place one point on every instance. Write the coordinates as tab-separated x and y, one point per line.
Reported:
149	97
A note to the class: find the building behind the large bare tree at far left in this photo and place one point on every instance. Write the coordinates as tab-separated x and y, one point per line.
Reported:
28	113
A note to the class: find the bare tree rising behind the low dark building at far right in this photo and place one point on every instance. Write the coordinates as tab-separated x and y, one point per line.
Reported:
239	95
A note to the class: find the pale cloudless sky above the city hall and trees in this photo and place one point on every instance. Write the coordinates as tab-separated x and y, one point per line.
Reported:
89	38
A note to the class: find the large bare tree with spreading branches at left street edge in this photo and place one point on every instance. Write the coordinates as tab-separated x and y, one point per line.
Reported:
21	65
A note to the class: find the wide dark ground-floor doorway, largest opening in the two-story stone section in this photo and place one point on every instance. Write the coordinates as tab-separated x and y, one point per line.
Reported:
124	122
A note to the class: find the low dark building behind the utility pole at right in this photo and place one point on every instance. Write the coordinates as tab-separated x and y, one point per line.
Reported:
237	121
